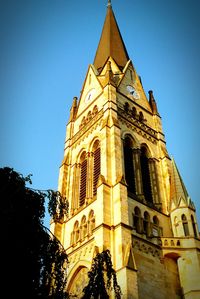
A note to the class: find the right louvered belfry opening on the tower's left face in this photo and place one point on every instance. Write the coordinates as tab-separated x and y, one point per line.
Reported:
97	165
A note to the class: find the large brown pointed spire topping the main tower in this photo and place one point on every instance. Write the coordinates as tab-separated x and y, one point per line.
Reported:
111	42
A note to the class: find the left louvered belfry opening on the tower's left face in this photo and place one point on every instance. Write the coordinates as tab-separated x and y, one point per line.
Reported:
83	179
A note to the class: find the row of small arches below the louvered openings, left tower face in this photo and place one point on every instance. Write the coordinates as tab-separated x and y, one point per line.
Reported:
84	229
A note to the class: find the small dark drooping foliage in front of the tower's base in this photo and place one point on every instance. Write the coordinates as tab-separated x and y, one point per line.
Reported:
102	278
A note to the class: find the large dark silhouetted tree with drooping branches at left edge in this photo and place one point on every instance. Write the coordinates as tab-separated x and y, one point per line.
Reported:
33	260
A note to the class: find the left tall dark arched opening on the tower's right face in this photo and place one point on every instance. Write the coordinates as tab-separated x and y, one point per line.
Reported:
128	164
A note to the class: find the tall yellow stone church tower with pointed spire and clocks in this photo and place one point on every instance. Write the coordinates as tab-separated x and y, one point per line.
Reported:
125	193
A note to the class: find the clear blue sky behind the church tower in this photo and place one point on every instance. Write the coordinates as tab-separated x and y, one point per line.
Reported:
45	49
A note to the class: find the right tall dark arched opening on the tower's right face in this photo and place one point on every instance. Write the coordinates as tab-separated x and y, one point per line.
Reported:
146	181
